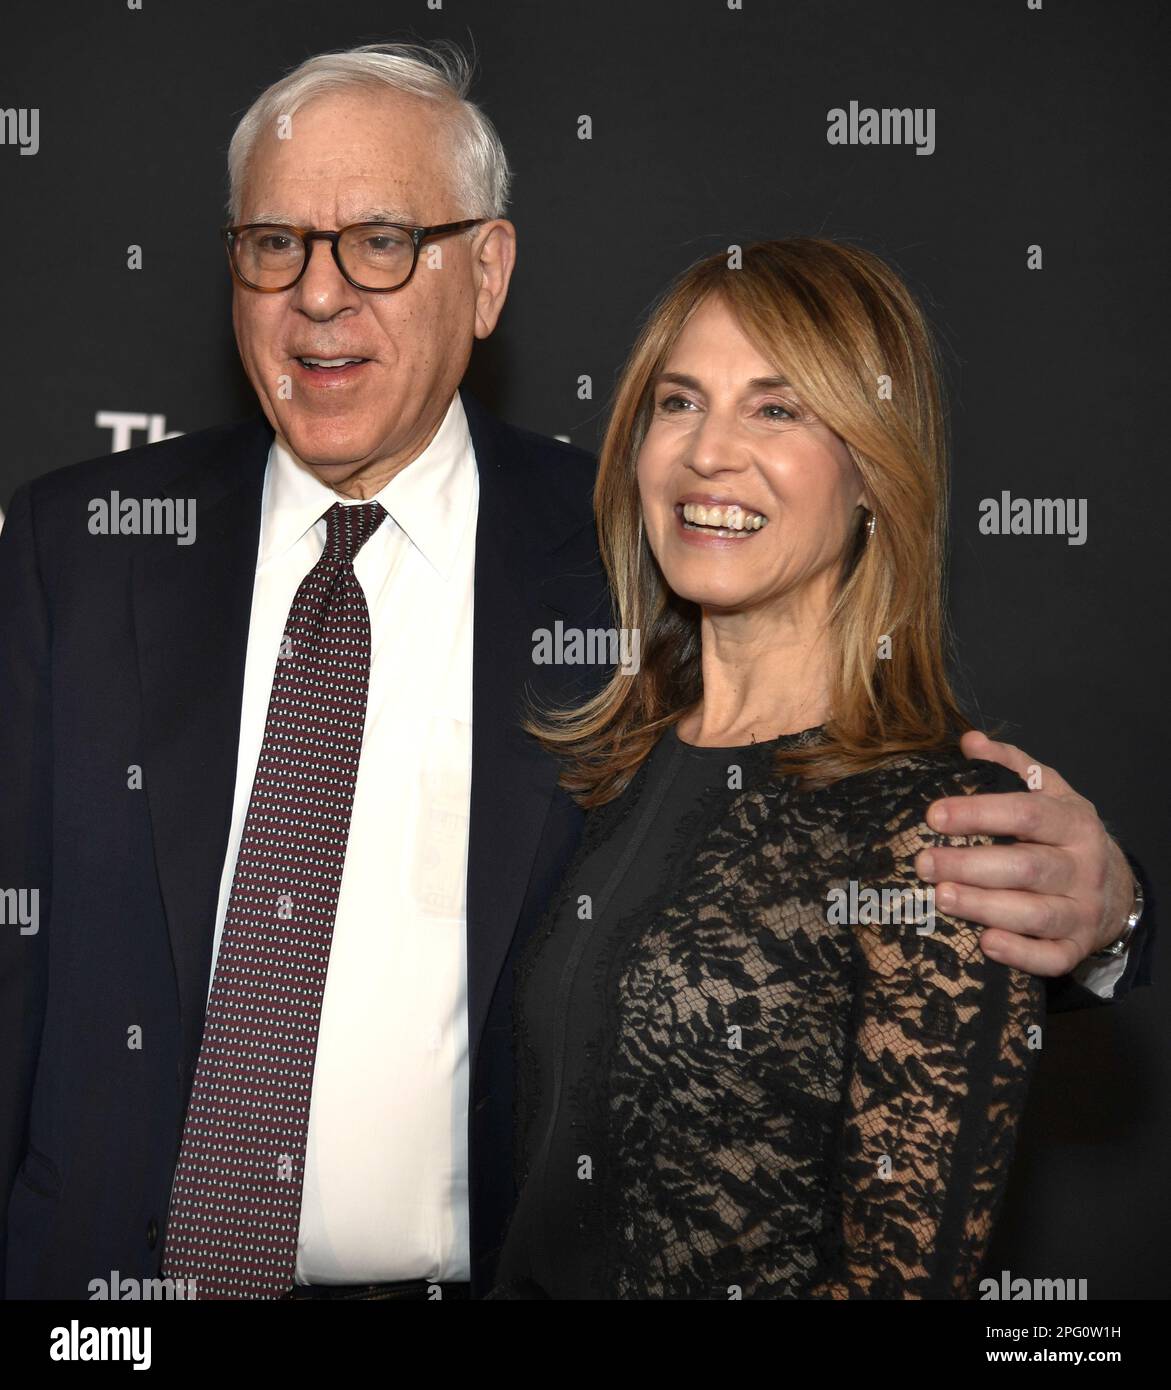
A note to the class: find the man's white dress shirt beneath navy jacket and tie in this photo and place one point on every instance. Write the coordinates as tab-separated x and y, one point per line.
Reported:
386	1175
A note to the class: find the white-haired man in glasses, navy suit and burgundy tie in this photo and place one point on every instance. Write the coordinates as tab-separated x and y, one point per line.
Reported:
270	819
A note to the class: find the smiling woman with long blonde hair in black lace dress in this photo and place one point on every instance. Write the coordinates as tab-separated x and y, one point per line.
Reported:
738	1075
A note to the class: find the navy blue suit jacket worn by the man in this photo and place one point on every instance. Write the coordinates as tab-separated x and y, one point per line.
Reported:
122	651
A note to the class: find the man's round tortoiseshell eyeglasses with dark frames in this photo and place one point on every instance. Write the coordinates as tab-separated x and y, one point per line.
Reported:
376	256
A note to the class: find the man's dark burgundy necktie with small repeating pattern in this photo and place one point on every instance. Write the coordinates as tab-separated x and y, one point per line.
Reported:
236	1204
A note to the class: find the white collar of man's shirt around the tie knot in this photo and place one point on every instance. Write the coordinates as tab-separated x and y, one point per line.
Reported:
428	500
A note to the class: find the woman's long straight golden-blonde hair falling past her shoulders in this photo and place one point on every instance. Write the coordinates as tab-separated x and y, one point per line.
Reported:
842	327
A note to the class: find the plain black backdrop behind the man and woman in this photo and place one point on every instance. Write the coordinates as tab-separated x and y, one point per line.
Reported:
710	129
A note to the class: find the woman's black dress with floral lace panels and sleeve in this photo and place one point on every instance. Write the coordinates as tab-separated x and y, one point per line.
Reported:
741	1078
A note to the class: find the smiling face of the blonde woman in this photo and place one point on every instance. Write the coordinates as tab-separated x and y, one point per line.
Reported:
748	498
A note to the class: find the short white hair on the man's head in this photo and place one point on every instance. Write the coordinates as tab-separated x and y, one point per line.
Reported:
437	73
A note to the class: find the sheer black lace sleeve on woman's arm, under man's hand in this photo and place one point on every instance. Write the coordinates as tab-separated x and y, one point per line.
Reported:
938	1077
